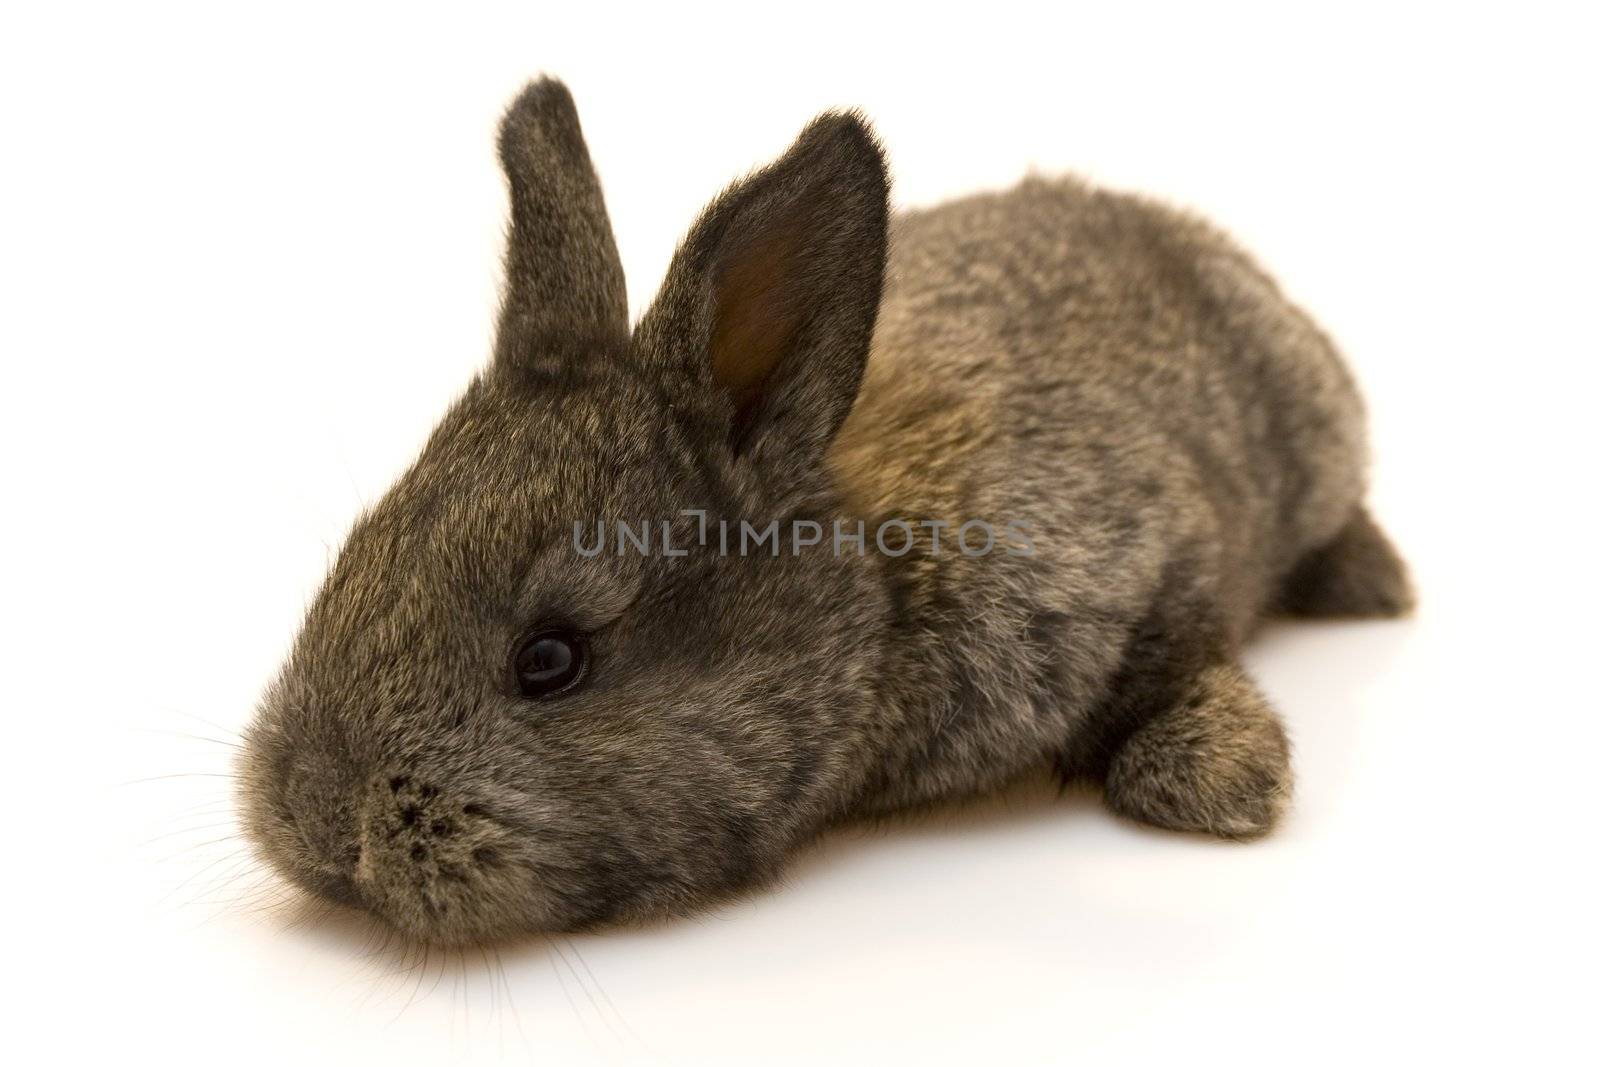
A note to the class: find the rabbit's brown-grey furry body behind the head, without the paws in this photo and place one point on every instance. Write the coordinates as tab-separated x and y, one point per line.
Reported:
1138	396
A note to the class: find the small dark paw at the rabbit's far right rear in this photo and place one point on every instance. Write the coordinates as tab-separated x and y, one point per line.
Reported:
1359	575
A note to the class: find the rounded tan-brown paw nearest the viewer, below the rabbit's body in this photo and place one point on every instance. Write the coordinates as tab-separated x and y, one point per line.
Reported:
1217	761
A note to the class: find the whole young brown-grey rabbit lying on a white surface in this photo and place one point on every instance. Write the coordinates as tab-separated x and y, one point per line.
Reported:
487	729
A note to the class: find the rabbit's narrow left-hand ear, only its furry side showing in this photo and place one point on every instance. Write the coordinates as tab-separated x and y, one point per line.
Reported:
564	281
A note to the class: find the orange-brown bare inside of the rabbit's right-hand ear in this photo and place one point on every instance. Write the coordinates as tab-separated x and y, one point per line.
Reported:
758	318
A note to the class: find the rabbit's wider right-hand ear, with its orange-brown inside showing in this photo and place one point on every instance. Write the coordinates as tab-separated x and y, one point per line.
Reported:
772	298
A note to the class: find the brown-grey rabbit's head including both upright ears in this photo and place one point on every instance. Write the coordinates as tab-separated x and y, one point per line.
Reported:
484	730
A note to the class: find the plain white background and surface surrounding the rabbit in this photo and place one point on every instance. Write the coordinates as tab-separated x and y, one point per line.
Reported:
249	258
